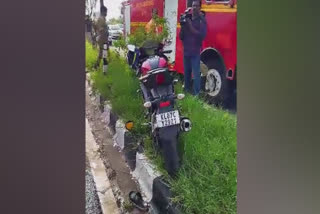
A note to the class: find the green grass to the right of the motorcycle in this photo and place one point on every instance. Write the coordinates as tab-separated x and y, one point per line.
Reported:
209	170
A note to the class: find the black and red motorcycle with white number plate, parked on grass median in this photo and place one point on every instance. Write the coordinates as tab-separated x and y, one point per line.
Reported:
157	86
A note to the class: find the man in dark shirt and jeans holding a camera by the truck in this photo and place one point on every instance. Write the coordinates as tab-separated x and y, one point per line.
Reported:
192	35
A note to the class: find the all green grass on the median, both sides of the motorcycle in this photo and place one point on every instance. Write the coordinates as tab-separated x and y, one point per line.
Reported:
207	179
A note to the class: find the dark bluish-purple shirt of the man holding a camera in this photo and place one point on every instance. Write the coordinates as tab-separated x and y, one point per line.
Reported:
192	42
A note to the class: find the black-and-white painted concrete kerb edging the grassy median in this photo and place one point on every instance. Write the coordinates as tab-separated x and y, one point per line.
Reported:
152	187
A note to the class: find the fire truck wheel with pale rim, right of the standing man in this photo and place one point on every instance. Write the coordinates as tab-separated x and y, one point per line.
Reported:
215	86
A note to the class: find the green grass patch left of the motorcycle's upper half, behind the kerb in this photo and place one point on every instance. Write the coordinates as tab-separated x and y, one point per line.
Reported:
119	86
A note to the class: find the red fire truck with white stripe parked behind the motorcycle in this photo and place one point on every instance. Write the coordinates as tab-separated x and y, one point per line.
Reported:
219	50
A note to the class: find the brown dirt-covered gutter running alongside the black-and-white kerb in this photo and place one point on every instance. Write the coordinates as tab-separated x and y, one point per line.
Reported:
115	167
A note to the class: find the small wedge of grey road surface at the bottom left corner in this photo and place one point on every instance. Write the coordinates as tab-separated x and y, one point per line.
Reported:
92	200
